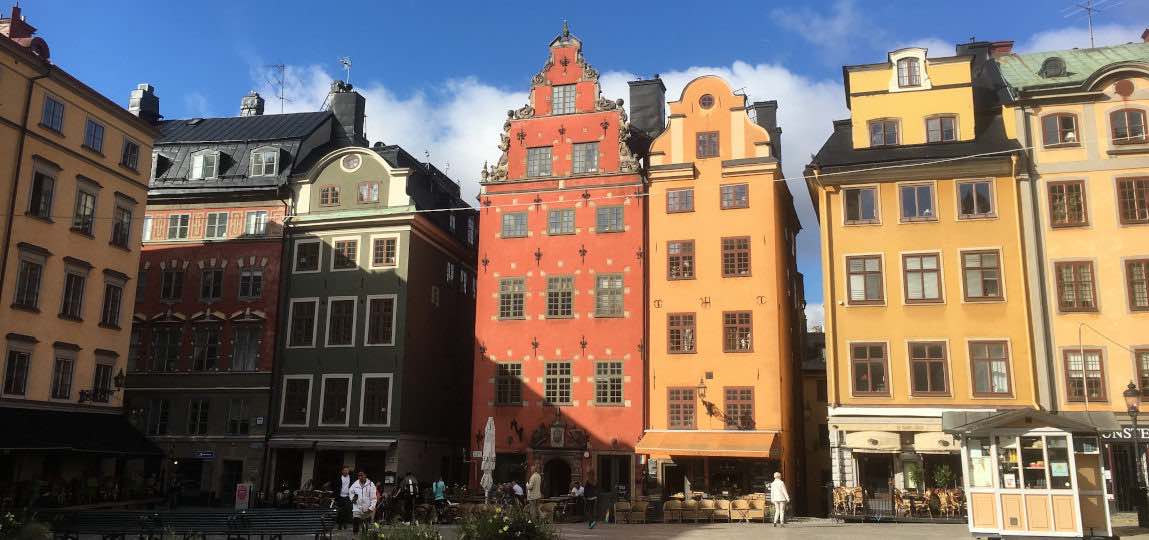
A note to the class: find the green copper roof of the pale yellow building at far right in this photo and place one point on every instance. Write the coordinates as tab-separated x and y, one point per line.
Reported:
1021	72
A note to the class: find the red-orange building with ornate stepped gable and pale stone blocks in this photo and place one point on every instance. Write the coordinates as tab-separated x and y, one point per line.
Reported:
560	312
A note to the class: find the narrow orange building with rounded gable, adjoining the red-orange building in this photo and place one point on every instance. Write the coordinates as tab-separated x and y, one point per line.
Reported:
724	300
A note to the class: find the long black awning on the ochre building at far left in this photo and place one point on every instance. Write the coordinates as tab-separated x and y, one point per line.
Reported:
33	430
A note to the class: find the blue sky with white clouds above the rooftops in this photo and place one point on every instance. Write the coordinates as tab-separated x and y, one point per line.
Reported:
439	76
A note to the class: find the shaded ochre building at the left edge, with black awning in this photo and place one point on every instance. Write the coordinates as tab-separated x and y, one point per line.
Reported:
74	187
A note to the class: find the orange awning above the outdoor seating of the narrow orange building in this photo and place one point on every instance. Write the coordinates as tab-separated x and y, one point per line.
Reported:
714	444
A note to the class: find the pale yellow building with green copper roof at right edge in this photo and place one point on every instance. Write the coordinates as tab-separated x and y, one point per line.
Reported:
1083	115
